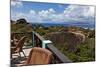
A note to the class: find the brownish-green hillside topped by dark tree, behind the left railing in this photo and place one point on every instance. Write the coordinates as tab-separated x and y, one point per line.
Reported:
21	26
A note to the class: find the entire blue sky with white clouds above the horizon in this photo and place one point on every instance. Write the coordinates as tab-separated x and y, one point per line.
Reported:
37	12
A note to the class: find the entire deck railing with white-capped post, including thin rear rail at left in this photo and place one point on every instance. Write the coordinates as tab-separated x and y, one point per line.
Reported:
38	41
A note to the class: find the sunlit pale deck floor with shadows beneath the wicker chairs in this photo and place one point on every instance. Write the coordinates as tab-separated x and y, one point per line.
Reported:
17	61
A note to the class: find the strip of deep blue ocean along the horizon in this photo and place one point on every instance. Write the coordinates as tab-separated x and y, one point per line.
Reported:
83	25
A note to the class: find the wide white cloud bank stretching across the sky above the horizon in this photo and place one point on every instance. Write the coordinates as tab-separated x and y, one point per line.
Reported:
73	13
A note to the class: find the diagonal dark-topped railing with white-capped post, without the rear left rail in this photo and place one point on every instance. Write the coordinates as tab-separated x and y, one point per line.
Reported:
58	56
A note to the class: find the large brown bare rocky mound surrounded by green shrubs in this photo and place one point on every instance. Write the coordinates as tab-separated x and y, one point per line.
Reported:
72	39
